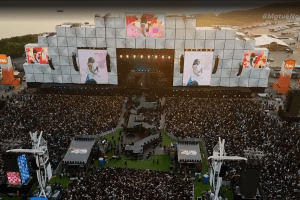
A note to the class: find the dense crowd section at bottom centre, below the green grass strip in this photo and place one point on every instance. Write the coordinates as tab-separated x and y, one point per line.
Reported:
124	183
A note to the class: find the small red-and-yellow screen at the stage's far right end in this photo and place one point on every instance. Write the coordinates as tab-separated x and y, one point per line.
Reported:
255	59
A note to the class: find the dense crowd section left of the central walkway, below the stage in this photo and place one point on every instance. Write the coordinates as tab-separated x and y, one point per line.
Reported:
60	117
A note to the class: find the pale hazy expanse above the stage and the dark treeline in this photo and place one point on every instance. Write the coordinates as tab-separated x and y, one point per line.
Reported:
33	17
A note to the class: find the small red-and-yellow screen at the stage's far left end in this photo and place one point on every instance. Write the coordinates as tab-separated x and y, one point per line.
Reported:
37	55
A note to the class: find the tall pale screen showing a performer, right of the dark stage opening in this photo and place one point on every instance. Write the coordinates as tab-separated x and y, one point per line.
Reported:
197	68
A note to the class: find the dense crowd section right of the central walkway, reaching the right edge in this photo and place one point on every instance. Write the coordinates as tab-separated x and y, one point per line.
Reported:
243	123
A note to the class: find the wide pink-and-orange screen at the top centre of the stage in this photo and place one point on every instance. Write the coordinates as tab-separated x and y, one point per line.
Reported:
145	25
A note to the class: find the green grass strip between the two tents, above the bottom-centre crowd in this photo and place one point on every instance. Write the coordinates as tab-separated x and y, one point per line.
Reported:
164	163
